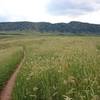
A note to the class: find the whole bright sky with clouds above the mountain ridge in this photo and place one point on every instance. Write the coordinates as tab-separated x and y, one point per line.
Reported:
53	11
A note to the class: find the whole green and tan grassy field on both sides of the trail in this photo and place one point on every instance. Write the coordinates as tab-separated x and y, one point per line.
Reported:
55	67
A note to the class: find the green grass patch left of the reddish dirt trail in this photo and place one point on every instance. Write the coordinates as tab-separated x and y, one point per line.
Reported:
9	59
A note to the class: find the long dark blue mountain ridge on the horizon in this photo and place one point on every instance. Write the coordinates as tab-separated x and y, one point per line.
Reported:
72	27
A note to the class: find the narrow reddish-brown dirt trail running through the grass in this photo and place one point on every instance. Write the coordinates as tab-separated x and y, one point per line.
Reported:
7	90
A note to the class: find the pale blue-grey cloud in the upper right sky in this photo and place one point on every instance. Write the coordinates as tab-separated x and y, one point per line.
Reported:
72	7
